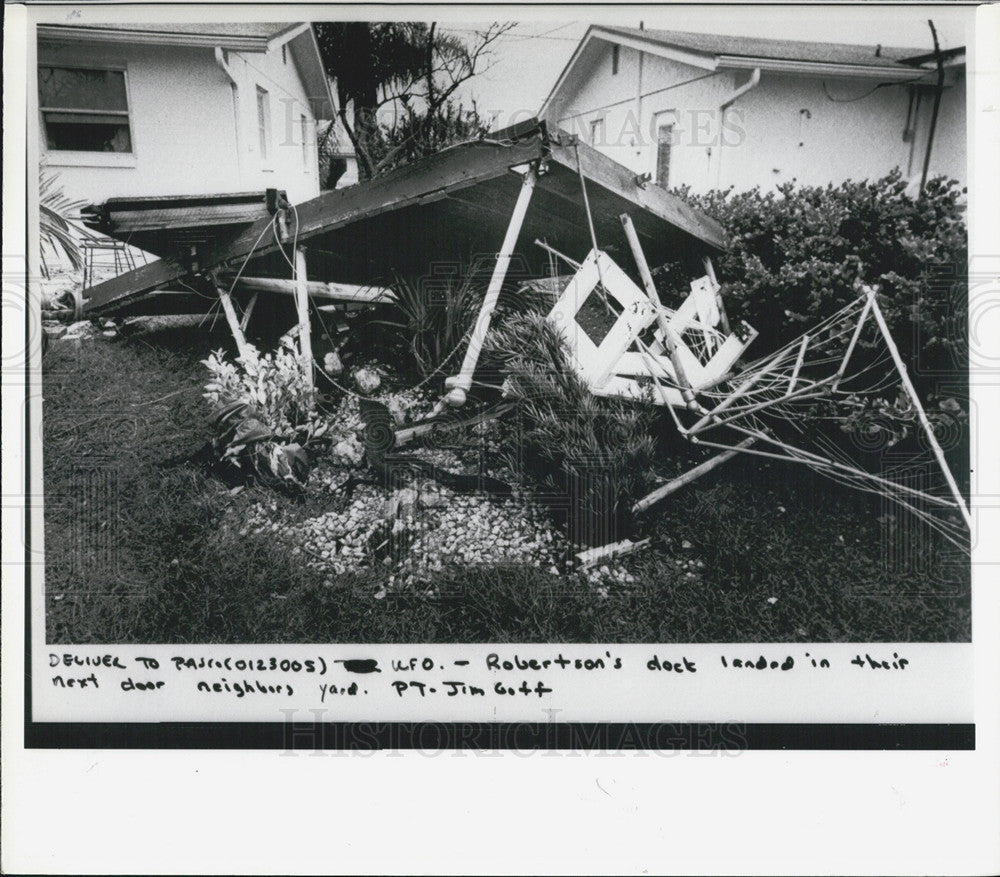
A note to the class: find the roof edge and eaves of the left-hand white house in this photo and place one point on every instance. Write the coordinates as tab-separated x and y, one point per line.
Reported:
237	36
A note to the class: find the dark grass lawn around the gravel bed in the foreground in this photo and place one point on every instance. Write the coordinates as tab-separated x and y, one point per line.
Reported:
141	552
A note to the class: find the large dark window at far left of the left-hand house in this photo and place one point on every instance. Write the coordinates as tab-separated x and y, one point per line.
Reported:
84	109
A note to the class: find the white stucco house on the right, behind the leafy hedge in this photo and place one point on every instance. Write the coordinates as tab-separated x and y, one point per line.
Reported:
713	111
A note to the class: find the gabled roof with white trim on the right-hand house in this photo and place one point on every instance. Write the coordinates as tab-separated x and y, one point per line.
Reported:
726	52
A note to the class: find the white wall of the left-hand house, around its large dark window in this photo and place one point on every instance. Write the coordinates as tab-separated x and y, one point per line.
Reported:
185	135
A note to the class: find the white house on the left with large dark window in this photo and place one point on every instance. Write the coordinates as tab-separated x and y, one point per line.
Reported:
128	110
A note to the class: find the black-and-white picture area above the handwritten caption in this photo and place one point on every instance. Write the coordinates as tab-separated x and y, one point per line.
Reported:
337	350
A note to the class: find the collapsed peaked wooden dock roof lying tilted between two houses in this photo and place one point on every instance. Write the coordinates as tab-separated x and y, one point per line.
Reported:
451	208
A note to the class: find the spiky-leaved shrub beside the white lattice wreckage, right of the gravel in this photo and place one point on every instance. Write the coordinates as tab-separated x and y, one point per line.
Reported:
590	456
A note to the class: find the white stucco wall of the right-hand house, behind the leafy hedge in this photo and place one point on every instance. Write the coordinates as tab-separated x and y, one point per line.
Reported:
787	127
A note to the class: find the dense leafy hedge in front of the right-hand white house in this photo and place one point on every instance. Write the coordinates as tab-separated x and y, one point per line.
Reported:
799	253
